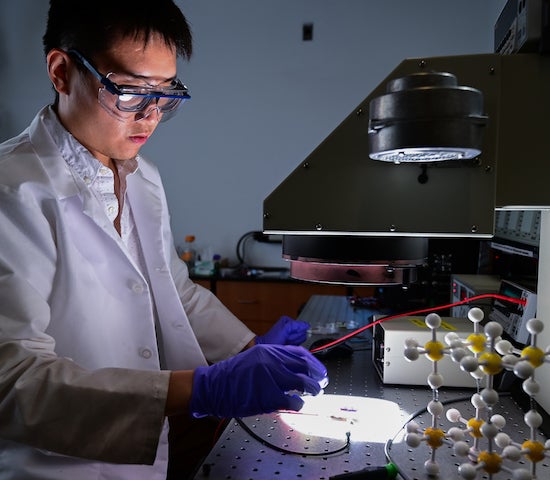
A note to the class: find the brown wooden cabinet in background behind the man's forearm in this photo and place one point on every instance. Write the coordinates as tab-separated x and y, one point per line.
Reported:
259	304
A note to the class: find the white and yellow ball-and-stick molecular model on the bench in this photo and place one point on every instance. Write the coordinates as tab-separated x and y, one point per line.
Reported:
484	355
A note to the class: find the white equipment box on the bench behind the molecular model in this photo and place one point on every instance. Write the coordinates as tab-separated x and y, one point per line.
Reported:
389	346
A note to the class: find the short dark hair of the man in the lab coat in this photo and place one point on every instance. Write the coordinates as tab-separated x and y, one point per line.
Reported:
92	27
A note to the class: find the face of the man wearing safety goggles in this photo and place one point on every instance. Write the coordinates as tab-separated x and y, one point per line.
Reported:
103	133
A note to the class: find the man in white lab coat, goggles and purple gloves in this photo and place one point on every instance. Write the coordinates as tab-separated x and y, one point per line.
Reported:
102	334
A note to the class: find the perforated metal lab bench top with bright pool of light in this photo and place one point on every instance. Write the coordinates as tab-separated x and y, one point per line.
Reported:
313	444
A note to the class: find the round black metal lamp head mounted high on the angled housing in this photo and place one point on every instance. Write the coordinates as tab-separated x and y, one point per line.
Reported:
426	117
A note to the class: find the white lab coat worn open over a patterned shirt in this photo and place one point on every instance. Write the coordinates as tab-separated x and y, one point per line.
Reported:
79	364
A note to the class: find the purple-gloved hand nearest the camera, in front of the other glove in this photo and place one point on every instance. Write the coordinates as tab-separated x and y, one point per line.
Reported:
256	381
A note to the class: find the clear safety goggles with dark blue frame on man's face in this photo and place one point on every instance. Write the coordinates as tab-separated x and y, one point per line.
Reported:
135	102
